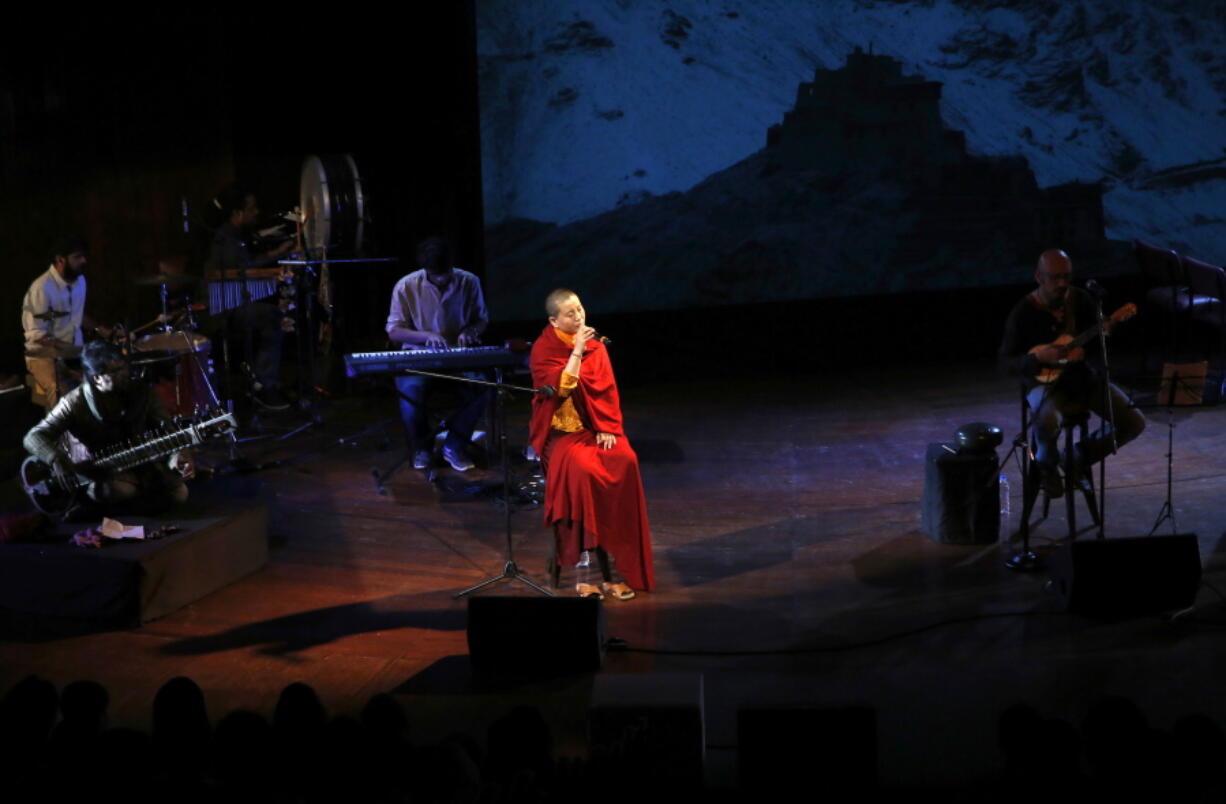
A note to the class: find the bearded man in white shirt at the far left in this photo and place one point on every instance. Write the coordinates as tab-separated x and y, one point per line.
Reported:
53	317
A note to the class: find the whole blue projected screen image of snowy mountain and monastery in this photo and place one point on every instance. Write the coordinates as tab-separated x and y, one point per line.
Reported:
872	178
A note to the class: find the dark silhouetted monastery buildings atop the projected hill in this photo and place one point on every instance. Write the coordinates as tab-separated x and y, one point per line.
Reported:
871	116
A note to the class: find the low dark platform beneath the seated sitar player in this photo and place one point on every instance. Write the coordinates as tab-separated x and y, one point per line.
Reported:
225	537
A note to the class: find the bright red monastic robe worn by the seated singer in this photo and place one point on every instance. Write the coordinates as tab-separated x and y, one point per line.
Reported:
594	497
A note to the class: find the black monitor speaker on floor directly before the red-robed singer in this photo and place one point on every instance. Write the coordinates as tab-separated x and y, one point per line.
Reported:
535	637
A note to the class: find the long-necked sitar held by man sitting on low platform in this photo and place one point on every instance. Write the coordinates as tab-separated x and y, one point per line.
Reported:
55	496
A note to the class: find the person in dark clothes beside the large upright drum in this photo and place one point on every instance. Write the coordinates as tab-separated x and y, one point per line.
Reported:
256	327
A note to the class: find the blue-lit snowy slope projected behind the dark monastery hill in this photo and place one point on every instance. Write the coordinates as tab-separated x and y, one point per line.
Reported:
587	105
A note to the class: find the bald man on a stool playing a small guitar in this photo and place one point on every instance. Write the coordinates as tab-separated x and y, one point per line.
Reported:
1051	311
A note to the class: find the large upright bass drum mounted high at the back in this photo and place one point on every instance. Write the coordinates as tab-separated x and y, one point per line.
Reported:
333	205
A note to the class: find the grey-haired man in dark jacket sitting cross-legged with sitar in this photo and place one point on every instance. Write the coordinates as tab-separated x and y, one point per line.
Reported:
109	409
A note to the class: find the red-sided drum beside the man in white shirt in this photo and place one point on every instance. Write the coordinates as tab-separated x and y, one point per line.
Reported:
177	366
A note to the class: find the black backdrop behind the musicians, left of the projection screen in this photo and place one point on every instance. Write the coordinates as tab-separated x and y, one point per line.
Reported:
110	126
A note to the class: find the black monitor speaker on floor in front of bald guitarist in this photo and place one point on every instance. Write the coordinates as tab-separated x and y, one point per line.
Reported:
1129	577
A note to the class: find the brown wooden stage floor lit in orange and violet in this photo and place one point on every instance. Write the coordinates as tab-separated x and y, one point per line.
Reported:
791	568
